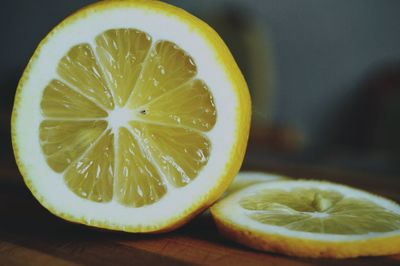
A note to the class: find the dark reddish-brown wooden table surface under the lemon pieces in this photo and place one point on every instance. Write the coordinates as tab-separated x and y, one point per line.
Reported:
29	235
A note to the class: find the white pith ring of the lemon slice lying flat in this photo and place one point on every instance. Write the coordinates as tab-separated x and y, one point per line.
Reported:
230	210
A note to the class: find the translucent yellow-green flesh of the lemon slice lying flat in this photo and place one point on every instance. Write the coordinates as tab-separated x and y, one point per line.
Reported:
319	211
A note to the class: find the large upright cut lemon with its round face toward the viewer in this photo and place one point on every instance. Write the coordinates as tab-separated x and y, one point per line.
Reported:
131	115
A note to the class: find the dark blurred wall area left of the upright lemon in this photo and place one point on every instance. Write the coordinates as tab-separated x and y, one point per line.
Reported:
23	23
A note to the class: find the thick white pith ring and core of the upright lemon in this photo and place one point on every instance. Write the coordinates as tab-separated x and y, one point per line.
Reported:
50	186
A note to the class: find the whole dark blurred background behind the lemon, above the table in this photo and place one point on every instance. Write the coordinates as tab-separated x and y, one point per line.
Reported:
324	76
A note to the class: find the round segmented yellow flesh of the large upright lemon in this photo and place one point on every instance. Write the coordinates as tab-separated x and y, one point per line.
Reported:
127	119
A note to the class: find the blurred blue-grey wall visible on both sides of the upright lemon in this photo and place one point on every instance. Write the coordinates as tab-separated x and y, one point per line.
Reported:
322	51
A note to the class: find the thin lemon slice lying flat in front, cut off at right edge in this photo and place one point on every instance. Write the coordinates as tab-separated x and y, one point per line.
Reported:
310	219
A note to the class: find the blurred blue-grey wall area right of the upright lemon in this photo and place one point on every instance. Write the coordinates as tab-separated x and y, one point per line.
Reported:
322	51
